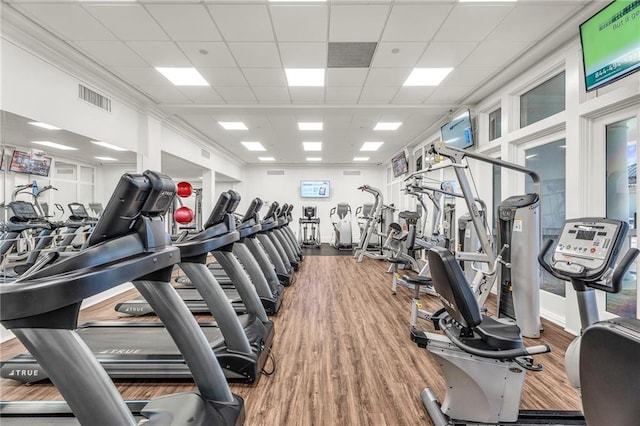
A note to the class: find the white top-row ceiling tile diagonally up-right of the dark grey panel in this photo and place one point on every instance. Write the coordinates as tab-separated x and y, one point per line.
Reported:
415	22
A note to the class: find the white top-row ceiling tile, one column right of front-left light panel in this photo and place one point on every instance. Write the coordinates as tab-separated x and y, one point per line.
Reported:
185	22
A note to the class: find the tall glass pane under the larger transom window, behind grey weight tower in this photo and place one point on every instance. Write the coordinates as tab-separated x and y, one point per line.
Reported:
549	162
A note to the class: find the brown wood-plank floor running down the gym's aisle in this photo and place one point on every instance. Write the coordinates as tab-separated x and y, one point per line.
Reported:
343	356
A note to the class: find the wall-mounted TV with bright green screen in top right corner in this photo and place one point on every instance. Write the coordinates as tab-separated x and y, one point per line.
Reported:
611	43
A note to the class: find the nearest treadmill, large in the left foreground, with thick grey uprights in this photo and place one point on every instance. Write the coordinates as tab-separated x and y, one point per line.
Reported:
129	244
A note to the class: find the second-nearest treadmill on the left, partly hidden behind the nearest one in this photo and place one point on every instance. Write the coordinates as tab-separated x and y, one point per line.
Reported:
145	350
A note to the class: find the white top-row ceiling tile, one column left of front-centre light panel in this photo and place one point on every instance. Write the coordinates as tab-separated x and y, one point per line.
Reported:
243	22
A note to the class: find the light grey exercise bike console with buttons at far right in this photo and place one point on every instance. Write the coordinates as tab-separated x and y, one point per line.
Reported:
587	247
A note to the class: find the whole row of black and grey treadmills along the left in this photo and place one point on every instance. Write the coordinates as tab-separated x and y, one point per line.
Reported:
254	259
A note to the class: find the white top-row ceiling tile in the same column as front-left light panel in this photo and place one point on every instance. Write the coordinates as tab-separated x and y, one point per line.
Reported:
127	21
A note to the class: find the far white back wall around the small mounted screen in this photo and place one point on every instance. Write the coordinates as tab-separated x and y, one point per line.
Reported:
286	189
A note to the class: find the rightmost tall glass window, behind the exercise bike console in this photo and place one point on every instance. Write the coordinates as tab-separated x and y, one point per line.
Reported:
622	163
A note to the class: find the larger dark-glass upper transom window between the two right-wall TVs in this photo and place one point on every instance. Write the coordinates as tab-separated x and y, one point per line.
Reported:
542	101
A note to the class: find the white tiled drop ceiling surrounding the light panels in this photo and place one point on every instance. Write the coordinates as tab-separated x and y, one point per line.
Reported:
242	47
